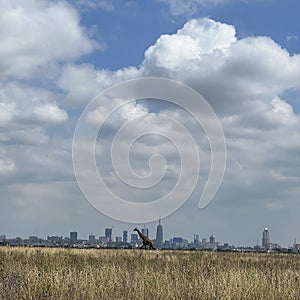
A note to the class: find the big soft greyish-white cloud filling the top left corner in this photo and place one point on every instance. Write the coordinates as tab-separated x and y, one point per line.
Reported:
39	34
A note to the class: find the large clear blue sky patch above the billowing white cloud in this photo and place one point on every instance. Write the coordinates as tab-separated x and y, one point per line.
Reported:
135	27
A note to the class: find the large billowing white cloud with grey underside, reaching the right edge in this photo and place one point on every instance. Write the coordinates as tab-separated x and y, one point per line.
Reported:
232	74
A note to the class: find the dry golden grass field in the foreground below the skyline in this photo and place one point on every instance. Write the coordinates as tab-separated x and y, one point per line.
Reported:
44	273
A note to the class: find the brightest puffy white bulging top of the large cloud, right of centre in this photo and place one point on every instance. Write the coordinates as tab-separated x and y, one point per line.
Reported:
199	46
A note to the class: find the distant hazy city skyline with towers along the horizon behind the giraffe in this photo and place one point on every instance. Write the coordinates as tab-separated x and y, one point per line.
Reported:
133	241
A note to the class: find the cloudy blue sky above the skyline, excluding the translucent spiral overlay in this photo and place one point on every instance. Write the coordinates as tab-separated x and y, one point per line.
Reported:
242	56
